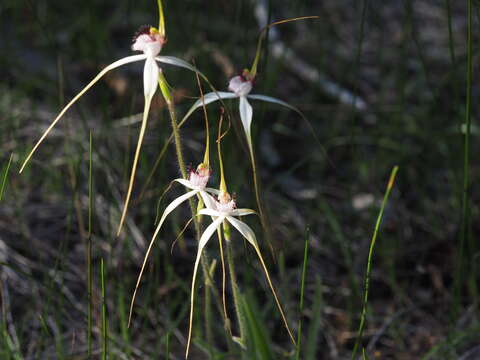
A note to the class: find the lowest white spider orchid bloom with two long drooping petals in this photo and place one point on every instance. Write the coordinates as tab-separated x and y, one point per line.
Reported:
223	210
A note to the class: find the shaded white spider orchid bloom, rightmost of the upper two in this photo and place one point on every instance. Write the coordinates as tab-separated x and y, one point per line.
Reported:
240	87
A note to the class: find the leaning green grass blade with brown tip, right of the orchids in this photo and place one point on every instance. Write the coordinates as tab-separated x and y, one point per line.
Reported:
370	258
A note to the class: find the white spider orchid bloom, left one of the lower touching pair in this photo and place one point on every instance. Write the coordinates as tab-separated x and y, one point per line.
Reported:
197	183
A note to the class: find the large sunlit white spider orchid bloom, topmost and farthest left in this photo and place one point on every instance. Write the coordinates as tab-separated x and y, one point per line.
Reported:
149	40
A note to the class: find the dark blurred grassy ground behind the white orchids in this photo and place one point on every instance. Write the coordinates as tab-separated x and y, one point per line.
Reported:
406	74
